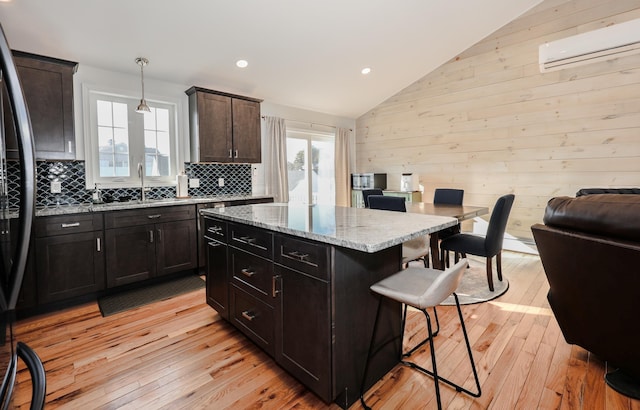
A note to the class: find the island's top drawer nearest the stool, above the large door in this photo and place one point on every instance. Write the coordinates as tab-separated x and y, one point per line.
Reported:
308	257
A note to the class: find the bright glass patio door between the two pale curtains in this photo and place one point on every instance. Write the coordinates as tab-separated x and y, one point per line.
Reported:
310	164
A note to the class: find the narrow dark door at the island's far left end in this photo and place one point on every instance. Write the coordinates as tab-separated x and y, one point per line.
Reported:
217	280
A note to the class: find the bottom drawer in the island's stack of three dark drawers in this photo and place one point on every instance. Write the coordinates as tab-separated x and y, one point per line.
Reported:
254	318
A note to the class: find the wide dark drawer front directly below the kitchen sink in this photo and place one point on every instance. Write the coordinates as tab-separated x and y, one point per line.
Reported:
119	219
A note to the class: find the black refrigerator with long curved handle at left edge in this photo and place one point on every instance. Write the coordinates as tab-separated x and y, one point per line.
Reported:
15	231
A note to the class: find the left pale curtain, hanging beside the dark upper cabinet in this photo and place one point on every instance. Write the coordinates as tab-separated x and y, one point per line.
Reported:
277	183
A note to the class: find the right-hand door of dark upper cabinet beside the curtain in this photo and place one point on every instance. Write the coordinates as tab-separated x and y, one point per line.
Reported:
246	131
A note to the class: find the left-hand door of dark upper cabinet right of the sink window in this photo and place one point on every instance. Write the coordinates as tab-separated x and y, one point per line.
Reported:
214	127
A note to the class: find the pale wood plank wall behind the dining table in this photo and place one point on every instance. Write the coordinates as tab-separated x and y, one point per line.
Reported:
490	123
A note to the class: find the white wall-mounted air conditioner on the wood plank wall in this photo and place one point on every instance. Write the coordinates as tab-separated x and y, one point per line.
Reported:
598	45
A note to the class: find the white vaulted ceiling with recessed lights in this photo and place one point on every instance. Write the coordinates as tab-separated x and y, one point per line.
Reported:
301	53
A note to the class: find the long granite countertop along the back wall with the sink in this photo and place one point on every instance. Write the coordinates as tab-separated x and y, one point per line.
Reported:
135	204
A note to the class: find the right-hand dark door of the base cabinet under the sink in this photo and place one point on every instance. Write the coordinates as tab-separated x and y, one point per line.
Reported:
176	246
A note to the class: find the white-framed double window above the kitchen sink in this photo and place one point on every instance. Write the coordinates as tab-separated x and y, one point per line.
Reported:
121	139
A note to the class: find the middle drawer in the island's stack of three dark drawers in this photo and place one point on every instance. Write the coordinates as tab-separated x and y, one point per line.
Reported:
253	274
